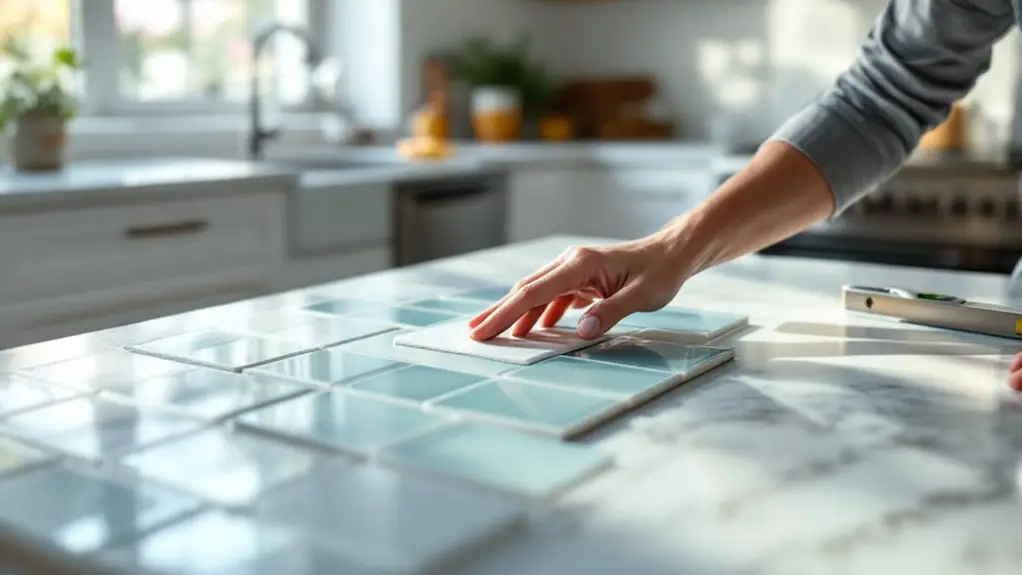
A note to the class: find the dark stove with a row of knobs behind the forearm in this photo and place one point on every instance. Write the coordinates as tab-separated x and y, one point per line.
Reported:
953	212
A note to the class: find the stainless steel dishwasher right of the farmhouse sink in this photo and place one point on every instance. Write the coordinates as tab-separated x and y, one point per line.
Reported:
450	216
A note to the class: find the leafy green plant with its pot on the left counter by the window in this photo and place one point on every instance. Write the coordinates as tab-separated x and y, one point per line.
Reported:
36	103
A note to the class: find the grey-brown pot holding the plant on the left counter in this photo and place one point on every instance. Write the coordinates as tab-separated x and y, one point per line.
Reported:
38	143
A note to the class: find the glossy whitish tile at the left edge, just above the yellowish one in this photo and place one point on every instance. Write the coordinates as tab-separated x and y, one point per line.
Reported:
96	428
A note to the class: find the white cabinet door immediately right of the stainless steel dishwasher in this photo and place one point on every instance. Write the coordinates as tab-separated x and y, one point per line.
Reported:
543	204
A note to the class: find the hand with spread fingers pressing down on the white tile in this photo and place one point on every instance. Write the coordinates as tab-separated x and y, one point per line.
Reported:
637	276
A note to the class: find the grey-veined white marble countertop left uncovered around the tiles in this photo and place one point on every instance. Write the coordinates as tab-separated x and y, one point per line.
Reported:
834	444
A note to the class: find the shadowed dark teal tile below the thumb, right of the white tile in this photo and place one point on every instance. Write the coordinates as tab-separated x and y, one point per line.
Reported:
662	356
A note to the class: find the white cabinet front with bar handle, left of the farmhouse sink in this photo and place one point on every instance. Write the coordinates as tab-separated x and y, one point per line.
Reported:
66	271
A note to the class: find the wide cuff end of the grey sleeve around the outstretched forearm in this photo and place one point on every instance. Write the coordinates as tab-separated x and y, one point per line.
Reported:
854	159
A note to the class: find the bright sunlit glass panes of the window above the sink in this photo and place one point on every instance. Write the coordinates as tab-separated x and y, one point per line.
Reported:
171	57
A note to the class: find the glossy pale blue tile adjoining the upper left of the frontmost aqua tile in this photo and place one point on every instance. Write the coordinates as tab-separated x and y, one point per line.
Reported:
341	421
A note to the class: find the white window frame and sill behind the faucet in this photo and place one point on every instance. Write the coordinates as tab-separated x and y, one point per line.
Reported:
95	34
